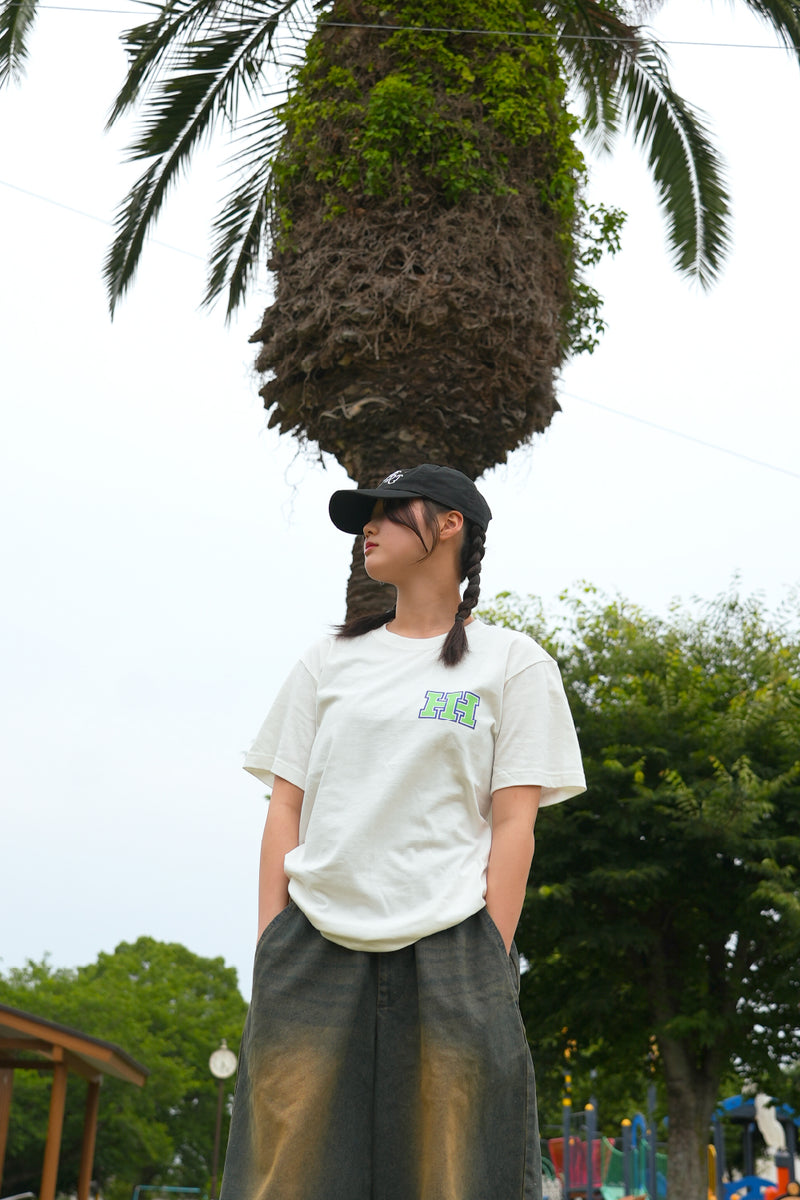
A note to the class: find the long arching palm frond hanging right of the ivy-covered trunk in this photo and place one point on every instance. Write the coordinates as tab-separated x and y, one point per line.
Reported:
687	169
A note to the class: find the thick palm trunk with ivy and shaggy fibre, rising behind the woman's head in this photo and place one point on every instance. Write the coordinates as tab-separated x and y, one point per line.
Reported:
419	323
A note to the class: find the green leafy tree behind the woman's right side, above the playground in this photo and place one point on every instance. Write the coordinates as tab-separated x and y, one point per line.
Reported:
663	921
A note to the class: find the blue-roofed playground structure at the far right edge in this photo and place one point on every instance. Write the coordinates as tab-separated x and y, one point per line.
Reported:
778	1125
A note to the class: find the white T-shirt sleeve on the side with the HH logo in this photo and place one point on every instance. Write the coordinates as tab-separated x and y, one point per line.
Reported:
537	743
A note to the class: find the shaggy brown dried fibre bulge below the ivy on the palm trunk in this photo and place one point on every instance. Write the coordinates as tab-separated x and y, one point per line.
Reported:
425	333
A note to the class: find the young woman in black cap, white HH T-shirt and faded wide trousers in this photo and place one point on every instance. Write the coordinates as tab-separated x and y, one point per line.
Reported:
384	1055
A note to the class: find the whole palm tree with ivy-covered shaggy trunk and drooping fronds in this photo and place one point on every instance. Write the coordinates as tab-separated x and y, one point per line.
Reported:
420	189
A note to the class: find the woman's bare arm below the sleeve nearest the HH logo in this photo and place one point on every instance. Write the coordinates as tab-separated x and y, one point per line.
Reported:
514	815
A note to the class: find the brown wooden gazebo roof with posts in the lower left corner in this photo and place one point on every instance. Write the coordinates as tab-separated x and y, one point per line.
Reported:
29	1042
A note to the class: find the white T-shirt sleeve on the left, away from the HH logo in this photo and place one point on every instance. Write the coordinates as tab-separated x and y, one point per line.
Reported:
285	741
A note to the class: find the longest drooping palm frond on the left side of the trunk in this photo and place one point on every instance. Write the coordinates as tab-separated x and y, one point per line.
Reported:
184	110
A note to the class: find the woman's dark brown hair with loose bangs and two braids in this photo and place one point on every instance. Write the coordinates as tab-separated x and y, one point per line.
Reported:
472	553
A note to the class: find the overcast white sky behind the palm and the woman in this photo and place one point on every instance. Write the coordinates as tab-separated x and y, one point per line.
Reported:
165	559
